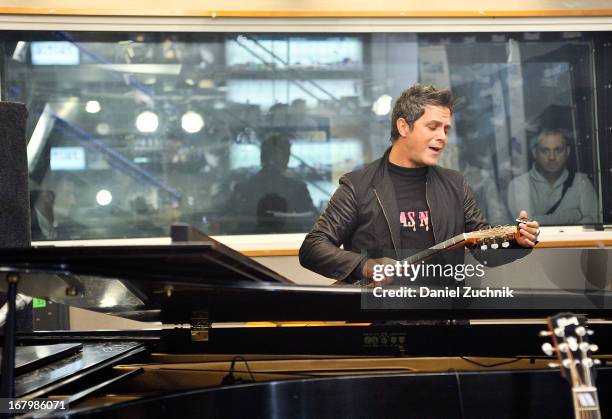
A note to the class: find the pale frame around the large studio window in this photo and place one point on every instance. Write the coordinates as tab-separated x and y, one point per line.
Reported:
281	244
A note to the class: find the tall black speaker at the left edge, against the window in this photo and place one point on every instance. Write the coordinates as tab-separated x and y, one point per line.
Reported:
14	195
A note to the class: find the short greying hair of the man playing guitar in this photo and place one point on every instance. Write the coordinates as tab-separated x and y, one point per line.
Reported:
412	102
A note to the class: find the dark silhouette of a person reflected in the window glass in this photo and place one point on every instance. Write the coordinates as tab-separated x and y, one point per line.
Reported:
271	201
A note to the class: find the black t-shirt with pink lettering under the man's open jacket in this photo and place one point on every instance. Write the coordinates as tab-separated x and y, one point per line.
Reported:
415	224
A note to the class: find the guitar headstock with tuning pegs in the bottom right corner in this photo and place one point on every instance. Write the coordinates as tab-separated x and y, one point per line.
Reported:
570	343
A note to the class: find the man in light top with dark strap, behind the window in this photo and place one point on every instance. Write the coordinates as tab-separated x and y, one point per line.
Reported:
549	190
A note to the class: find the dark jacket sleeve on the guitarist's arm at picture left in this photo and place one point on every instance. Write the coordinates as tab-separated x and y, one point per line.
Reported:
321	251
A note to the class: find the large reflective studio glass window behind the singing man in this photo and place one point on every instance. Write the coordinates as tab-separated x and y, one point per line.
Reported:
249	133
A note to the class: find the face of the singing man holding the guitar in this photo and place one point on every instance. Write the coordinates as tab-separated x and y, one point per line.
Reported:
423	144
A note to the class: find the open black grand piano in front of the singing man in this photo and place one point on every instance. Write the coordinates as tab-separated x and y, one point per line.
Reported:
239	340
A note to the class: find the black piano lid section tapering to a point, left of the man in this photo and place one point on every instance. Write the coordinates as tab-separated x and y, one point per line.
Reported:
206	261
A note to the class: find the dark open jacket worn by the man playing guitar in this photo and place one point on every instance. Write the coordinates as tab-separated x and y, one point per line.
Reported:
361	217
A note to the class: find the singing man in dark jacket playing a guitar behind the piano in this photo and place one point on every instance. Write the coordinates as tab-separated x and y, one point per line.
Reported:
402	202
